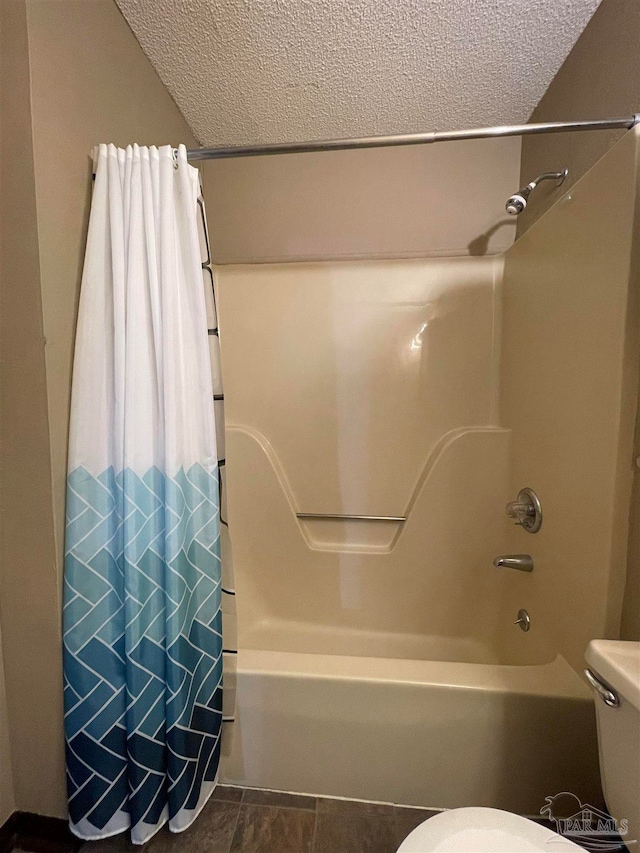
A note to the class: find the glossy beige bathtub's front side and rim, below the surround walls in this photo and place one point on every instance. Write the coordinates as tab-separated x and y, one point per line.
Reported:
424	733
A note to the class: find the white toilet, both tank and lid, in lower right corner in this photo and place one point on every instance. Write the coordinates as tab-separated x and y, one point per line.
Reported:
614	674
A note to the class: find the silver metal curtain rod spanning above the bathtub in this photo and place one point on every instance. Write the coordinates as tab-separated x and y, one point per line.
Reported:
411	138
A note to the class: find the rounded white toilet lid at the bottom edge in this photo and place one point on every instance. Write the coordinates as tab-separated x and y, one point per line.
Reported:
483	831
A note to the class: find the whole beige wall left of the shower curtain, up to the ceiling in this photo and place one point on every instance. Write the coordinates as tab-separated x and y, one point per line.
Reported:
76	76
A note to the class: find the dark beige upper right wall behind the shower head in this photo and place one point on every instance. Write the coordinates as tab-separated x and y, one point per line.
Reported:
599	79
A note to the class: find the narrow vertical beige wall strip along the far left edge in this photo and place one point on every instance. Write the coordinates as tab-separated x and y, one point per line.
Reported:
28	583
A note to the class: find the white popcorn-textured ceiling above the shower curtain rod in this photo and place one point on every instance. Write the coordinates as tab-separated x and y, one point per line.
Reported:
278	70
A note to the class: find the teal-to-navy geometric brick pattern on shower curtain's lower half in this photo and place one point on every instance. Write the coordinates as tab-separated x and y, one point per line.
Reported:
165	530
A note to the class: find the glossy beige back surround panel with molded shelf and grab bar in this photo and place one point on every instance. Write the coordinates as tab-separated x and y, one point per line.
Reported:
369	388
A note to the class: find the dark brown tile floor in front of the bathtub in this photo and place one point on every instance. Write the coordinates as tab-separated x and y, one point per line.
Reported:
249	821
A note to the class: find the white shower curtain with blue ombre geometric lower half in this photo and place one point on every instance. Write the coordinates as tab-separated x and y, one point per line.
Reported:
142	598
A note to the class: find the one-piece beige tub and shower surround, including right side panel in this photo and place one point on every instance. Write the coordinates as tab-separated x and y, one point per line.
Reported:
378	659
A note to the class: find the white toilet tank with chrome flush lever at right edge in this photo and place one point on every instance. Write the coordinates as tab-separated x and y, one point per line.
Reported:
615	664
